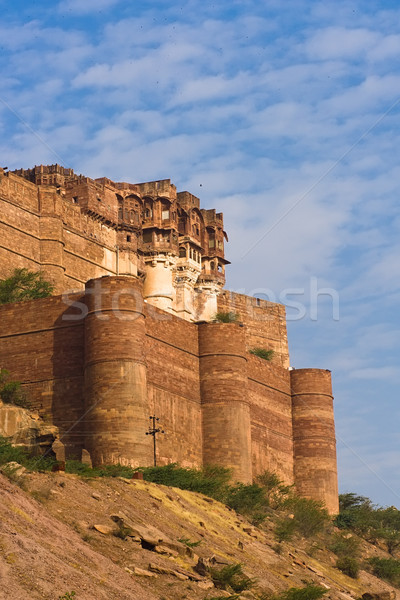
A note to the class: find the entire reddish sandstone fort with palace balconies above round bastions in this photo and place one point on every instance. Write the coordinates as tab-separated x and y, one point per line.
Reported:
139	273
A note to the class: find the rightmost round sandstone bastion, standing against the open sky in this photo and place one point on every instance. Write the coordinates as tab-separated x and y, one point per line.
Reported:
315	468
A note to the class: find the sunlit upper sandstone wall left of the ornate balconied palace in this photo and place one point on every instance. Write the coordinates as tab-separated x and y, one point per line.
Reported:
40	230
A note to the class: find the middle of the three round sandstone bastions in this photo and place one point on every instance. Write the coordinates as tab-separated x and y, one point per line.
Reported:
225	409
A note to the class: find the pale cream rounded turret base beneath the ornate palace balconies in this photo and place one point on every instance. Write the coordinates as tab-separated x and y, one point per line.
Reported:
158	284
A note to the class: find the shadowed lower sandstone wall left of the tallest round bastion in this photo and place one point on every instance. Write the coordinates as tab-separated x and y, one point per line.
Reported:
43	348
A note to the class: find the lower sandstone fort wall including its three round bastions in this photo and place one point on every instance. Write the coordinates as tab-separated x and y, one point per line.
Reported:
99	368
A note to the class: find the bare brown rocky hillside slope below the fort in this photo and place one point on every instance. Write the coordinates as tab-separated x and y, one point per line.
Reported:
58	535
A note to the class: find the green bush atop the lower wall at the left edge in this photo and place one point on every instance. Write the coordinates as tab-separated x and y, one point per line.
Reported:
24	285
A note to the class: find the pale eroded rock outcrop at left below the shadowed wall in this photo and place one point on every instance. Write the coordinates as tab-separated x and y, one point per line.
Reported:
26	429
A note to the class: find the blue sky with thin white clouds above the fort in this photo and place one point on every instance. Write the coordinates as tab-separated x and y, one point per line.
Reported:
285	116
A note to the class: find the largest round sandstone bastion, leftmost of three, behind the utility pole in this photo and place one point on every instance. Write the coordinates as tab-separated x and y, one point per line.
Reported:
116	408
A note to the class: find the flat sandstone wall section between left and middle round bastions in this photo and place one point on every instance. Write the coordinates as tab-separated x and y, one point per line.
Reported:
174	386
